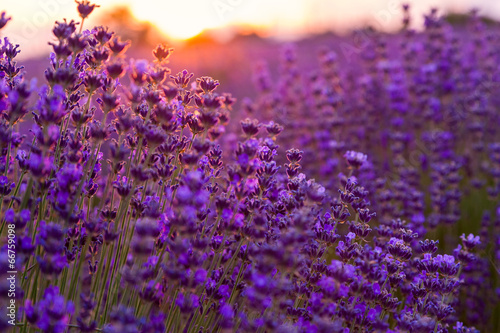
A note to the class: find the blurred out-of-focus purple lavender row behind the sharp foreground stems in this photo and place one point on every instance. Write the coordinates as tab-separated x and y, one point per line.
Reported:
424	106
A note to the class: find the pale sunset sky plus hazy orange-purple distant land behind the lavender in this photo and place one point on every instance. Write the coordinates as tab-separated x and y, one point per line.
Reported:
227	38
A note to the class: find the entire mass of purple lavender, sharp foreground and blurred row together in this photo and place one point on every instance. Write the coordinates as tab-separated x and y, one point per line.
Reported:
123	208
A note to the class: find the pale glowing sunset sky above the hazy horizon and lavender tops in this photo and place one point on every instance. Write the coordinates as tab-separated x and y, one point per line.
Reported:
181	19
